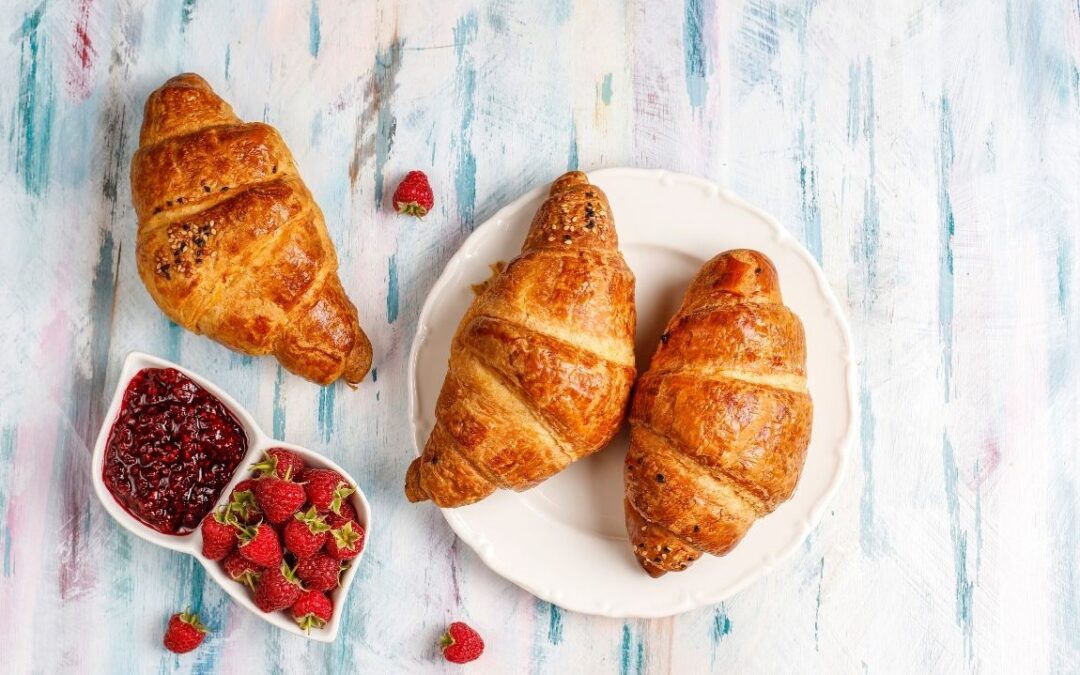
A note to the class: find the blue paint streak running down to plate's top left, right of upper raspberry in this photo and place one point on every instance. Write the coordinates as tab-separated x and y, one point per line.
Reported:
465	175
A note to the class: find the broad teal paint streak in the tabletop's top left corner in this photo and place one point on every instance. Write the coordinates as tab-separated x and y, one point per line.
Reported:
37	106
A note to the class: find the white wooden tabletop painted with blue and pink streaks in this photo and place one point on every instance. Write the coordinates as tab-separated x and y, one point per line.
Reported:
926	152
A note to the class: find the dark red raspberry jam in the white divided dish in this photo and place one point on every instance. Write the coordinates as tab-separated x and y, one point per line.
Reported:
172	451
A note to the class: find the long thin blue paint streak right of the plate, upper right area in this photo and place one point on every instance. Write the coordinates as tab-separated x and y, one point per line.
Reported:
946	276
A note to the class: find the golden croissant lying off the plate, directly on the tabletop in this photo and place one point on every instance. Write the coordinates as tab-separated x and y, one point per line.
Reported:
231	242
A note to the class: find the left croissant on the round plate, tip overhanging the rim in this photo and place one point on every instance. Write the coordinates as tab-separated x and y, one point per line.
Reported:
543	362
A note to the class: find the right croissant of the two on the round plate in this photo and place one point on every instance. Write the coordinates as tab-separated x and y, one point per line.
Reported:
721	422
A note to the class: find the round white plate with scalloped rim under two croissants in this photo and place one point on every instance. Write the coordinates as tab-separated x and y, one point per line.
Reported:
565	541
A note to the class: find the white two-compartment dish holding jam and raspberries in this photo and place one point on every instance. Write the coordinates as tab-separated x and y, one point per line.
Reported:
192	543
